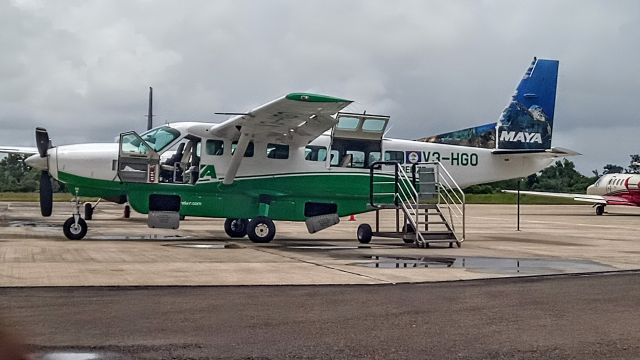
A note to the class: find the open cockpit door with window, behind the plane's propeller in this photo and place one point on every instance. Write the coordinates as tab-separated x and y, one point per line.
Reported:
137	161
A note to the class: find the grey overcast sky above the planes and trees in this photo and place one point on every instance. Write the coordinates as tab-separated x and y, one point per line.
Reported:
82	68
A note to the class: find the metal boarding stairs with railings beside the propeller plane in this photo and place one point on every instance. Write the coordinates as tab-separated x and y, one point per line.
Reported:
429	205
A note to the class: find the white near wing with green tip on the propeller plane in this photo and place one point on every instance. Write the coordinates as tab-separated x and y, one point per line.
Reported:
296	117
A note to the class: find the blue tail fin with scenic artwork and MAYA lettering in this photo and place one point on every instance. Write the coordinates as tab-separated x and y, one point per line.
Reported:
525	124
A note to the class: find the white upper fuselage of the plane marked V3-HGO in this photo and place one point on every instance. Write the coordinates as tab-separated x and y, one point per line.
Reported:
467	165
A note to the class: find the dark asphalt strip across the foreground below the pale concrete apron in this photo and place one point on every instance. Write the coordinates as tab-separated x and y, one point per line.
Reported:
558	317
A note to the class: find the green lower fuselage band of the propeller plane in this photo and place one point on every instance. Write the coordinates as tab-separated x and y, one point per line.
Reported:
288	192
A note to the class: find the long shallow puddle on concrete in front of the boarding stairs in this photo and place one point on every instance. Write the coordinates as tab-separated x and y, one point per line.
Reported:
486	264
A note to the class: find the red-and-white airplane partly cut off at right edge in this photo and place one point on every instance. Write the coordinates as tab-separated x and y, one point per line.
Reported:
610	189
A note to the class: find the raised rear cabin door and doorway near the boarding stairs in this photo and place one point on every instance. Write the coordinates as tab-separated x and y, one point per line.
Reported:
357	139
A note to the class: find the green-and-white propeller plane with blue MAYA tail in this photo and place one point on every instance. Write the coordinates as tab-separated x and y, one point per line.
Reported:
296	158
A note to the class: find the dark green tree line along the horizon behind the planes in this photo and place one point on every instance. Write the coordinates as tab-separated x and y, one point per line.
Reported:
562	176
